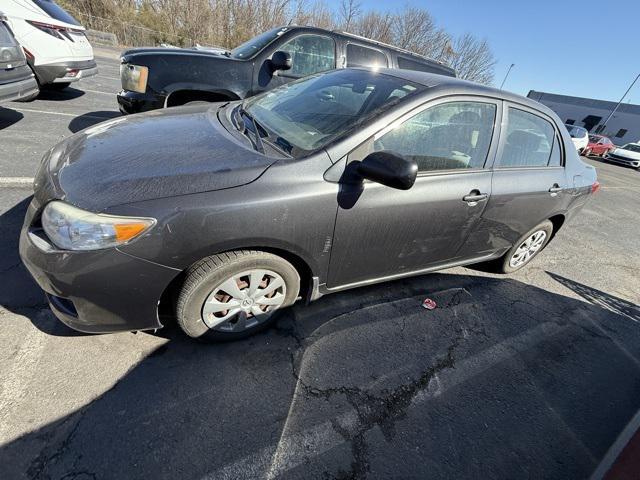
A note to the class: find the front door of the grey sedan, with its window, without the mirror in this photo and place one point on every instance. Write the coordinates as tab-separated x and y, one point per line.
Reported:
383	232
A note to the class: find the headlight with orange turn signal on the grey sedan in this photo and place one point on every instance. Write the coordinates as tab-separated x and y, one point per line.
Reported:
71	228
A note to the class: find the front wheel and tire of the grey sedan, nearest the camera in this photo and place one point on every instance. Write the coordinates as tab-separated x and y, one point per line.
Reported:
209	285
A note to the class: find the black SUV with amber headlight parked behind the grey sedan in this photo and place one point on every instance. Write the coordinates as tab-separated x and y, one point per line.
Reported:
157	77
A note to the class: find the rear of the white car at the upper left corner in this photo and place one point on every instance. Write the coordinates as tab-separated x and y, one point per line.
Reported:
57	50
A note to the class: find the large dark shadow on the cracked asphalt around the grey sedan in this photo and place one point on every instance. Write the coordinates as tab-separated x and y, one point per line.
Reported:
359	384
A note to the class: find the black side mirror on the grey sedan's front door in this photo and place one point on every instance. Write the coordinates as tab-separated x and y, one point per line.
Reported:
390	169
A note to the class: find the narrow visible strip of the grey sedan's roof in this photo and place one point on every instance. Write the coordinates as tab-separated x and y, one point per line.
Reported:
464	87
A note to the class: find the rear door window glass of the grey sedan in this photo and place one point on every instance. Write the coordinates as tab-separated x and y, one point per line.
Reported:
529	141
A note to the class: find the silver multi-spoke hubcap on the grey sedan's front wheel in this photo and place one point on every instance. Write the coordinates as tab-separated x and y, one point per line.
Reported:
244	300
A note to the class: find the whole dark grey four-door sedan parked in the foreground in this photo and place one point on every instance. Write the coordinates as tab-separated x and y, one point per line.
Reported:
335	181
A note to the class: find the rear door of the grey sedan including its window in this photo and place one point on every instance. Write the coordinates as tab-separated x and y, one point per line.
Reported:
529	181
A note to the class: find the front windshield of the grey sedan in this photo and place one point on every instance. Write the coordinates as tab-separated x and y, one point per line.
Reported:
308	114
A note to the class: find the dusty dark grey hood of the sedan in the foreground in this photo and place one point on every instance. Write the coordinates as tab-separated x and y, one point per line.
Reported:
176	151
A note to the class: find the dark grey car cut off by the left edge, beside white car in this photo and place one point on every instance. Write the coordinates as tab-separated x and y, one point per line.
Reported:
16	79
